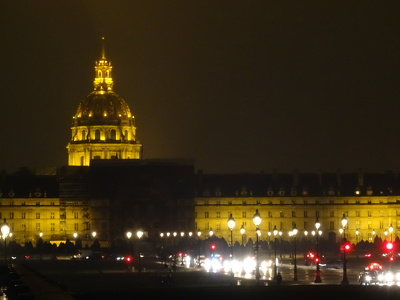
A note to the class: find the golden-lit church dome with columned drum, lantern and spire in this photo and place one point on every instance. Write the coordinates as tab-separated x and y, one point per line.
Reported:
103	126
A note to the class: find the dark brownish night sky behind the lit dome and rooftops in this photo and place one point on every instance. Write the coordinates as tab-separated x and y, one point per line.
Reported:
236	86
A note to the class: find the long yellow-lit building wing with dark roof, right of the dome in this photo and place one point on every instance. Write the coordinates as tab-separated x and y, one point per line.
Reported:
371	208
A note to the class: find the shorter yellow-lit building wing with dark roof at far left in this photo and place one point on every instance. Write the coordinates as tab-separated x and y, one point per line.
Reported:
39	205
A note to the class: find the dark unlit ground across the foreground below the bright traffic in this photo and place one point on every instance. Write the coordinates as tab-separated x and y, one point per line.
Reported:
66	280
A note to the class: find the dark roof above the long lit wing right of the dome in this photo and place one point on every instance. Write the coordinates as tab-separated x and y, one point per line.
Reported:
298	184
